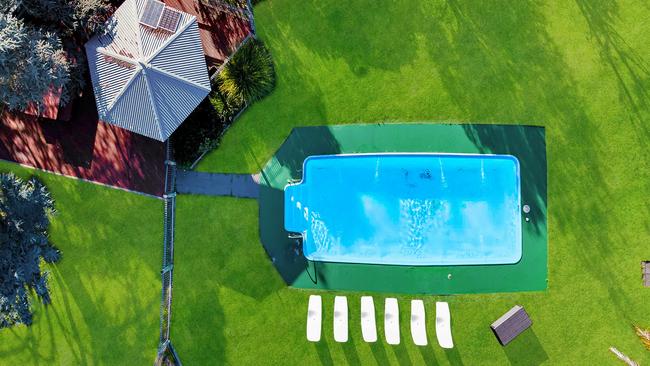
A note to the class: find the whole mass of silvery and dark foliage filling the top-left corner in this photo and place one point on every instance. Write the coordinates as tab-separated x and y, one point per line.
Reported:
41	47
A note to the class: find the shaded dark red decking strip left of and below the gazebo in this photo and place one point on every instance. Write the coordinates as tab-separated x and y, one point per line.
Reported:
84	147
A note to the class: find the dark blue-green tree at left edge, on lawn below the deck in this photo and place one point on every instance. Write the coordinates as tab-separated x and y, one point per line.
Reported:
25	208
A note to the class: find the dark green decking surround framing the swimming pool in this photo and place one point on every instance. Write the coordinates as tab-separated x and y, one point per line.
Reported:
526	143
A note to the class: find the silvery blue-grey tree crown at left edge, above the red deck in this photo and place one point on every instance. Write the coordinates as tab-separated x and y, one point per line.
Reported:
31	62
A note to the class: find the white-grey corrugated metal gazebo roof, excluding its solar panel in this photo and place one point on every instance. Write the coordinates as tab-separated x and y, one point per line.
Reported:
147	80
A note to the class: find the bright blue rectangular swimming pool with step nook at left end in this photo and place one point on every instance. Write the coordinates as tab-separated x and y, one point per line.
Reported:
408	209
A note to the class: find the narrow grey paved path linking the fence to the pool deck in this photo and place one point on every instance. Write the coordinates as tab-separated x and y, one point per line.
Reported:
217	184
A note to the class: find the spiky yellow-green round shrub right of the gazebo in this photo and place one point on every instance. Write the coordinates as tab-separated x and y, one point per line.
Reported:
249	74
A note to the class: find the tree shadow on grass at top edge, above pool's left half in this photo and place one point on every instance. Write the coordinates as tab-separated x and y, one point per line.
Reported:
350	32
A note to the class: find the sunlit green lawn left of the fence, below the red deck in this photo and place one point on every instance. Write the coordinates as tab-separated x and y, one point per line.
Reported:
106	288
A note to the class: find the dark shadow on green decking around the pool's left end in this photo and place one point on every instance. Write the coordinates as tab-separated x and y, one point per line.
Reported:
285	253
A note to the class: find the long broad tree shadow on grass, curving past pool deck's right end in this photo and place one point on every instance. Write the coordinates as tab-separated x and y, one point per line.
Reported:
502	65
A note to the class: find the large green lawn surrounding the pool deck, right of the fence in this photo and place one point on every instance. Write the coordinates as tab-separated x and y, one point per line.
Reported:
581	69
